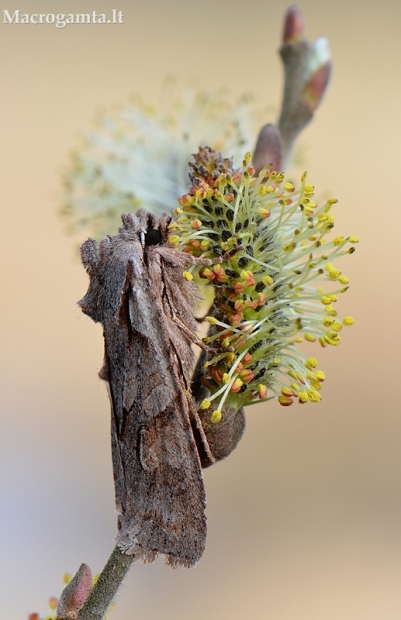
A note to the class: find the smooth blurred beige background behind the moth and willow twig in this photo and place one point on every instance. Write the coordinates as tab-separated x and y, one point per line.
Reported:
305	516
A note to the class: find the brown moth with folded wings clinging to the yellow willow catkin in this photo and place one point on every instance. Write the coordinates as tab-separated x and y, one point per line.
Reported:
138	292
